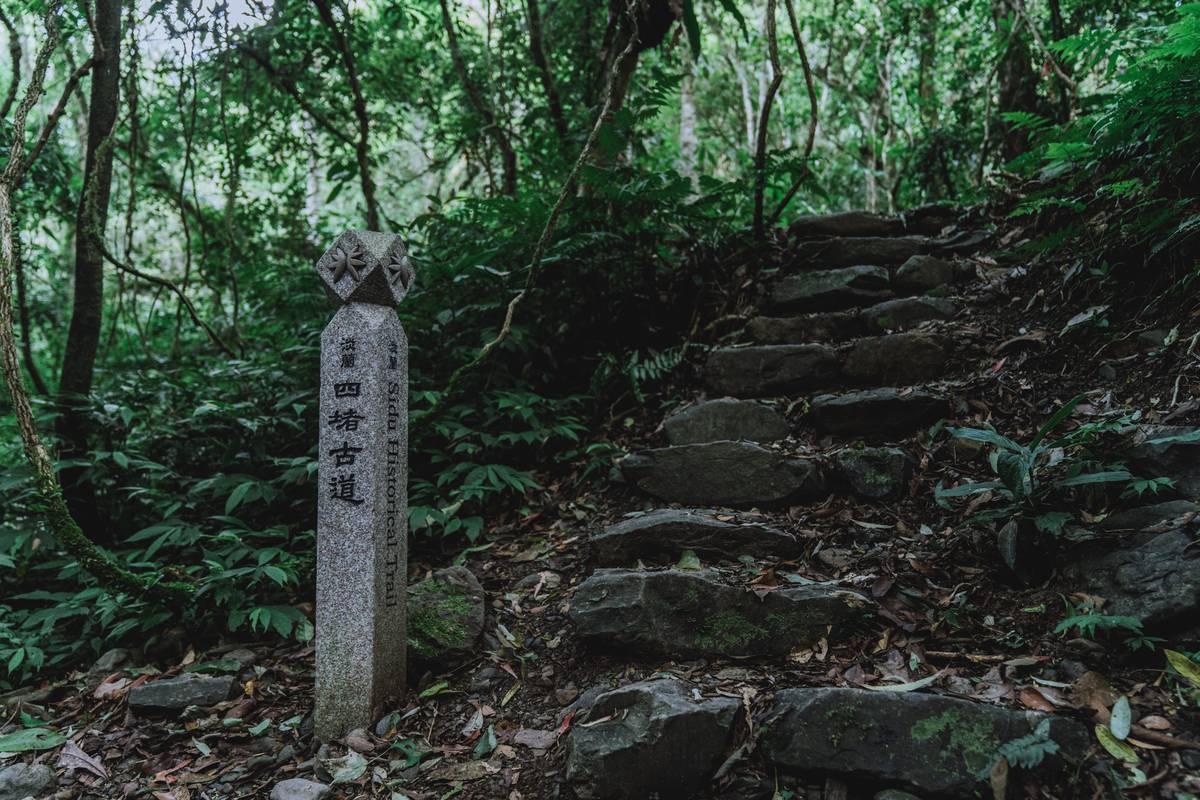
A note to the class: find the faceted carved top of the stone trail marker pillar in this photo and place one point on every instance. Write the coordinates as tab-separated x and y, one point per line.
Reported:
367	267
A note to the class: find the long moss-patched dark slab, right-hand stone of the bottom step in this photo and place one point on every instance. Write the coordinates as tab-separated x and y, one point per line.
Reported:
927	743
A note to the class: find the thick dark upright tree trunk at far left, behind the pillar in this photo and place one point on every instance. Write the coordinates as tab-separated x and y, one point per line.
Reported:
92	218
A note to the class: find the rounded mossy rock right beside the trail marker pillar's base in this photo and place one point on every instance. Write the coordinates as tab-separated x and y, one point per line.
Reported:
446	616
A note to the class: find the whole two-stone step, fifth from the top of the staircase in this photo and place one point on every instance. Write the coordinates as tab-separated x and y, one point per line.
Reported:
777	370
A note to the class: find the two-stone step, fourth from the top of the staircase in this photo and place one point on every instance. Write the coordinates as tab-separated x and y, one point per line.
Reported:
899	315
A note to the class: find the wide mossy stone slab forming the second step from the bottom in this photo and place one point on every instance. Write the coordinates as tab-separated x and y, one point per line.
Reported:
683	615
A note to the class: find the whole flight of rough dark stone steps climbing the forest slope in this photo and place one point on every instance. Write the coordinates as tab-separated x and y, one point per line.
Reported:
854	353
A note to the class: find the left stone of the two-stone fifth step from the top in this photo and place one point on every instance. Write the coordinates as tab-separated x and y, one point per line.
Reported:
771	370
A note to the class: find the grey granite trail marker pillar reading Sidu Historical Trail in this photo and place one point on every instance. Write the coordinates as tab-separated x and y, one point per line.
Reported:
363	484
